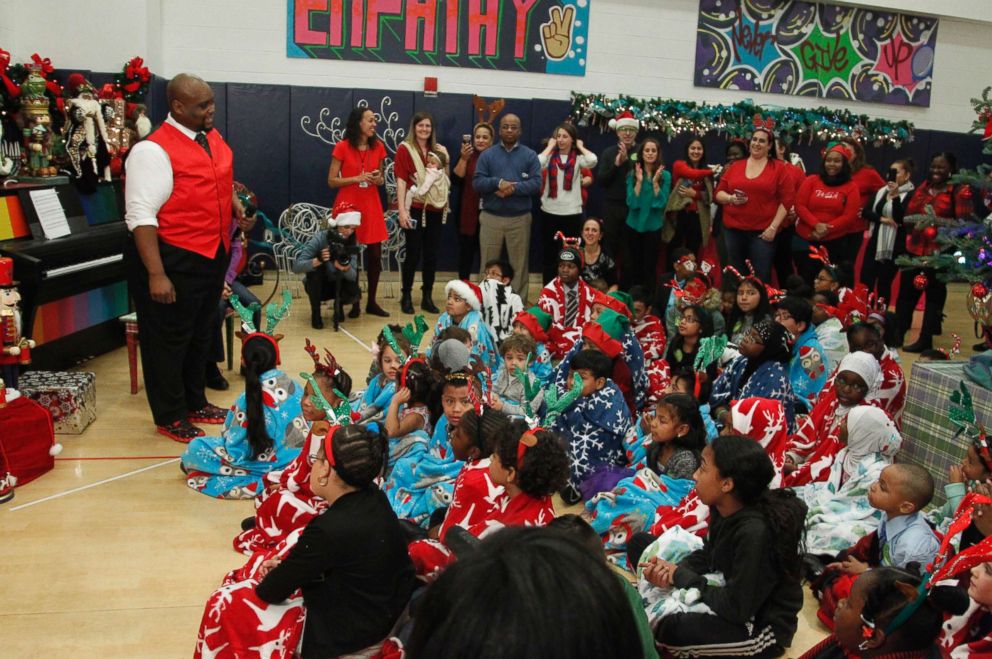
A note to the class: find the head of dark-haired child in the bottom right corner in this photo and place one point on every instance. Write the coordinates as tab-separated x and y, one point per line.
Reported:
885	602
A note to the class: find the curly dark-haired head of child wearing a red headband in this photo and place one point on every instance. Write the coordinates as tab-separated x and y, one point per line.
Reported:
542	468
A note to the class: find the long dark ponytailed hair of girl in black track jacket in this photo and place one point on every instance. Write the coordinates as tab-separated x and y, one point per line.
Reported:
745	461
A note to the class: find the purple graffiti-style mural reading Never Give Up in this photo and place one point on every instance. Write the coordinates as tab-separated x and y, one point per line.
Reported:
815	49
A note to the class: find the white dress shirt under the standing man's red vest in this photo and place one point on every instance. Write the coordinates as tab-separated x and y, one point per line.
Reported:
149	179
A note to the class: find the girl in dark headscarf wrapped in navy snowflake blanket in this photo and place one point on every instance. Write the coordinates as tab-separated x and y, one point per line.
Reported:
761	371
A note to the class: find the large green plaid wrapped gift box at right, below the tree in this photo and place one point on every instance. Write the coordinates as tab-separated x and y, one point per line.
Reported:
928	434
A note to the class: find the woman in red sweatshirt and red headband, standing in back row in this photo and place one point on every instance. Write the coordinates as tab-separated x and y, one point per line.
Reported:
828	210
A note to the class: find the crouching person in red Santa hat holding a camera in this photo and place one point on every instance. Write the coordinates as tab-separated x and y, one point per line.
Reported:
330	261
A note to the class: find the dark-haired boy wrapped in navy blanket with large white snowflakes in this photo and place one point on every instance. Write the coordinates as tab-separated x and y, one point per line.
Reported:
594	425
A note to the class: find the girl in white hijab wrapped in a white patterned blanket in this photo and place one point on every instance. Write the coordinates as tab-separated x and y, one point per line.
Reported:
839	513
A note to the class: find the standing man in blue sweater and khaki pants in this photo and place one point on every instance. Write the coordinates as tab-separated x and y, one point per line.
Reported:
507	177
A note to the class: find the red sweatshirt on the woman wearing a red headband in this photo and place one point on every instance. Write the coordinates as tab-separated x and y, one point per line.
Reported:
836	206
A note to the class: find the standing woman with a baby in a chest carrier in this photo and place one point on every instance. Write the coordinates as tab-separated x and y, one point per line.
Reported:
421	173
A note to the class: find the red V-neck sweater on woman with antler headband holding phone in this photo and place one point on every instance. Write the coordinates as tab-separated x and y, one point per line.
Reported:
765	192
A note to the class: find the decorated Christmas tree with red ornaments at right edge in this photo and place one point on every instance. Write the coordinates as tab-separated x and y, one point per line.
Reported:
965	245
